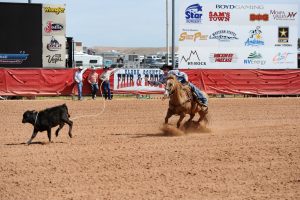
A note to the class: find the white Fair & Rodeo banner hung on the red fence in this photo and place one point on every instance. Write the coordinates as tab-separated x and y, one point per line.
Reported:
131	80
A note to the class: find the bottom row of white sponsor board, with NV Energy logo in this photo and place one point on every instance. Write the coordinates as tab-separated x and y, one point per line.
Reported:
233	58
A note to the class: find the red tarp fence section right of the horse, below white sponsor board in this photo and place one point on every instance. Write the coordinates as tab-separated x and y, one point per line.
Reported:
259	82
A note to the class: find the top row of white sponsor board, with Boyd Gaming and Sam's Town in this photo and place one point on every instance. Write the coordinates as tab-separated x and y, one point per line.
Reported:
194	12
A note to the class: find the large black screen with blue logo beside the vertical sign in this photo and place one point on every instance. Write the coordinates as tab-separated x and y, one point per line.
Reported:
20	35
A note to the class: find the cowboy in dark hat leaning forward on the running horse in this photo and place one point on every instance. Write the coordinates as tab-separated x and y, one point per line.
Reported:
182	78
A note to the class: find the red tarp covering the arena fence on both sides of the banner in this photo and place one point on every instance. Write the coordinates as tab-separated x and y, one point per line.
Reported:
40	82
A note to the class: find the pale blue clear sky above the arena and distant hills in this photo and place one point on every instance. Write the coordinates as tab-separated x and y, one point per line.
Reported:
122	23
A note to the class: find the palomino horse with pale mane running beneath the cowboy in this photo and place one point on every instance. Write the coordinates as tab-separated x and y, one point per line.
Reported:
182	102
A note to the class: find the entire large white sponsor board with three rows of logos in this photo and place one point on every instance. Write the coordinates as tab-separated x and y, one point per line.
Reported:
224	35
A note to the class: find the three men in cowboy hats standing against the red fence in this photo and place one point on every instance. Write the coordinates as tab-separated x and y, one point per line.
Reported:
93	80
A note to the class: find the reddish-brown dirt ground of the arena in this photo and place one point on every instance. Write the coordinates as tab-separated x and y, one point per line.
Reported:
252	152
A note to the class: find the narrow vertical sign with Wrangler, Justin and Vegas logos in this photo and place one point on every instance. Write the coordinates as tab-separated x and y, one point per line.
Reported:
54	36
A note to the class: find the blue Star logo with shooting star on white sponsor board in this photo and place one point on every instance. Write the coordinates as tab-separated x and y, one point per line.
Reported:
193	14
